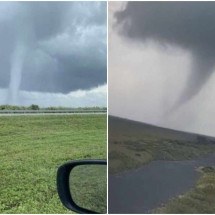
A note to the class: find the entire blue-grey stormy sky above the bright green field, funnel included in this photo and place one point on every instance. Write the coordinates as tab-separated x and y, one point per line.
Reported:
53	51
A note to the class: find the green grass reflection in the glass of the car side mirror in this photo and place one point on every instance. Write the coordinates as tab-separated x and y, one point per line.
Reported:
88	187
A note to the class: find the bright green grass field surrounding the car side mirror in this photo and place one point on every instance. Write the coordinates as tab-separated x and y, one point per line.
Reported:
31	150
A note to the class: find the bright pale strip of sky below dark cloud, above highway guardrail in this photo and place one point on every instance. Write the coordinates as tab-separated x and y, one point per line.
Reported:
79	98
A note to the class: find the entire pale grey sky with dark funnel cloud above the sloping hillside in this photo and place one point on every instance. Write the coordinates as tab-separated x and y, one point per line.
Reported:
161	63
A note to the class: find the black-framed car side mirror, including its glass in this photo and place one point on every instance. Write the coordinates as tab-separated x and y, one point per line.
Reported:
82	186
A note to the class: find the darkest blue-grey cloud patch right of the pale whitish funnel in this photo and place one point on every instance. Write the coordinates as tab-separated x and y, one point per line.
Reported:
70	72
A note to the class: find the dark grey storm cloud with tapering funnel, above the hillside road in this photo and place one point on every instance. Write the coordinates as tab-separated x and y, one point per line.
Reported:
188	25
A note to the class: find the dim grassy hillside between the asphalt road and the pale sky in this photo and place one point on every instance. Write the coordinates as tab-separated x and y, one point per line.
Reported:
133	144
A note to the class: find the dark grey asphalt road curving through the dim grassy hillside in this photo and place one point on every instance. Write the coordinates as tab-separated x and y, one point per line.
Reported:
148	187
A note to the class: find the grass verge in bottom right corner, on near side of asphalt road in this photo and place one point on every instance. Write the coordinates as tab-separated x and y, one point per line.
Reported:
199	200
